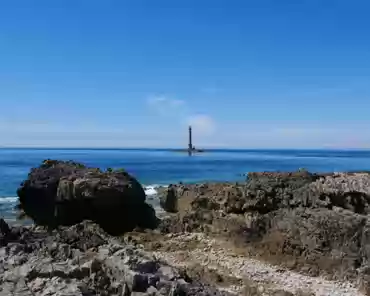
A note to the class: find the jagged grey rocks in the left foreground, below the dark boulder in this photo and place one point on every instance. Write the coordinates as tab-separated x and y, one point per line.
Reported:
83	260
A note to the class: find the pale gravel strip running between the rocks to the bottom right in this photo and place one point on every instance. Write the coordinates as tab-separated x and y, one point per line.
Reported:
218	262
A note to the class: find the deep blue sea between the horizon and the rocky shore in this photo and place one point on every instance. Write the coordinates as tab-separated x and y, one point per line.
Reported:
155	167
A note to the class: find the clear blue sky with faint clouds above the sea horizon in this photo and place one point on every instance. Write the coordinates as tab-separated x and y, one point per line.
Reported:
253	74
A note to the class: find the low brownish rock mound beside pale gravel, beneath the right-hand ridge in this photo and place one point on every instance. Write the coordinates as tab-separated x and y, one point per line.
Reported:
314	240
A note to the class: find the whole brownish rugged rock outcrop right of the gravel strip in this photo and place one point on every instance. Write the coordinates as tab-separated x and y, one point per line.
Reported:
318	224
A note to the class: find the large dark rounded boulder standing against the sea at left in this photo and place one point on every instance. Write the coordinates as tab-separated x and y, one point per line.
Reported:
66	193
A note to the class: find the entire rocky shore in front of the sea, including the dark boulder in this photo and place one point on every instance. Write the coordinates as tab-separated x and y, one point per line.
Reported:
277	233
